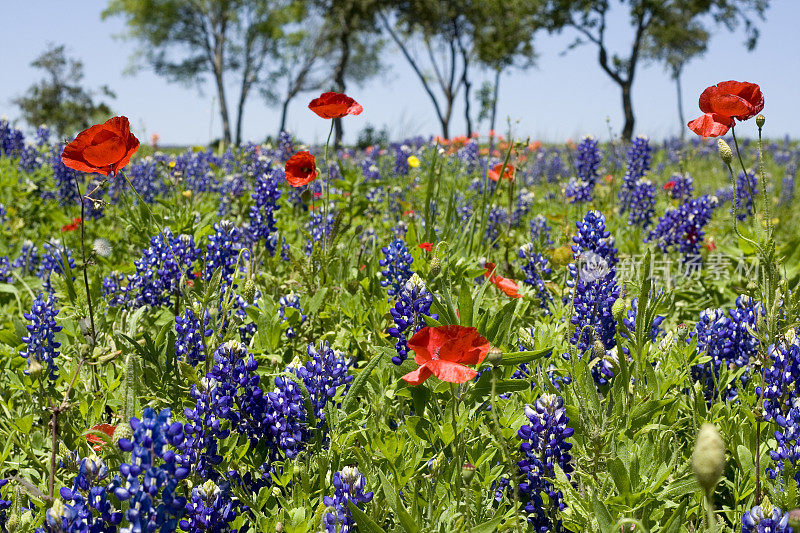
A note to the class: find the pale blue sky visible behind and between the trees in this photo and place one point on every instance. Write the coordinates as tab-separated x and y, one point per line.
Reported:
567	95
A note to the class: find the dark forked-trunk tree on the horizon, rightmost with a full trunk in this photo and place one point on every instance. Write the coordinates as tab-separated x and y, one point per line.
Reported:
589	18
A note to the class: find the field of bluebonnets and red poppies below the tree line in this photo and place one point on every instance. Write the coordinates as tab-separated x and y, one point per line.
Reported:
473	334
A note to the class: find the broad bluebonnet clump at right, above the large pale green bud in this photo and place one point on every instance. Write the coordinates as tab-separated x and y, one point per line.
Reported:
725	337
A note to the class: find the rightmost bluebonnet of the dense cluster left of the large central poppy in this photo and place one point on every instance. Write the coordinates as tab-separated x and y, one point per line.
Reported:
323	374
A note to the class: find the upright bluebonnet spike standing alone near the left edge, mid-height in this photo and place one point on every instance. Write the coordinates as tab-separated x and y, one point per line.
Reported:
42	346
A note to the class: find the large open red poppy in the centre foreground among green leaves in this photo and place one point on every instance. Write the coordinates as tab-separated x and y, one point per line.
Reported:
443	351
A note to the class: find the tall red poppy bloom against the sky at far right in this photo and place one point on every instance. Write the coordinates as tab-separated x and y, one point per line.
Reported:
724	102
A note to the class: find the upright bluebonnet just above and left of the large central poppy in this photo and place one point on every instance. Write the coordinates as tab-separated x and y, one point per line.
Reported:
413	303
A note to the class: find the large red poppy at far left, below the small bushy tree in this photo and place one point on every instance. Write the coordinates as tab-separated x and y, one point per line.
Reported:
103	148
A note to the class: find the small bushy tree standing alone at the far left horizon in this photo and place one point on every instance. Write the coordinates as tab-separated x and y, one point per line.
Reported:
59	99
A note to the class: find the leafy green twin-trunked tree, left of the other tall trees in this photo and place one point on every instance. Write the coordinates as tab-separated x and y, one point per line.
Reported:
185	40
